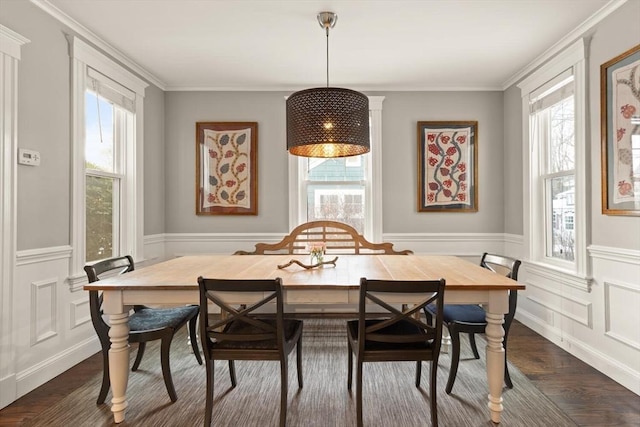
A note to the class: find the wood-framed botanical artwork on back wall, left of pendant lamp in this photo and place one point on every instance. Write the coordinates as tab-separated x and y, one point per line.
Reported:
226	168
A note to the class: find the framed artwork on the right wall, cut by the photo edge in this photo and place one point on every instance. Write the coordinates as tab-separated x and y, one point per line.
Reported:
620	127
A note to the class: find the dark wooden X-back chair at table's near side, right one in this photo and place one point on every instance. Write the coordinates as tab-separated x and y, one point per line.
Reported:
396	334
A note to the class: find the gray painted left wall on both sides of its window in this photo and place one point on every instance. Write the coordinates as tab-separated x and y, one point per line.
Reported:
44	124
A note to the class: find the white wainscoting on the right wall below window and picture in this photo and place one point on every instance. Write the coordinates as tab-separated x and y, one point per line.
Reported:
597	319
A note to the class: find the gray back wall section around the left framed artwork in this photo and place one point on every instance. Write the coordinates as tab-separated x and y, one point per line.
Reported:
183	110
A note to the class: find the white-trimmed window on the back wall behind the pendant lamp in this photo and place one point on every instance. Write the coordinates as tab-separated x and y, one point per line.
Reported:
343	189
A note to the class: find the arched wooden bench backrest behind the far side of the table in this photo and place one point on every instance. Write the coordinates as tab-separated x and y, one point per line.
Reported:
337	237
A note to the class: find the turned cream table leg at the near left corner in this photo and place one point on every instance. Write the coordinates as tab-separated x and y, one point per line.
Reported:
119	363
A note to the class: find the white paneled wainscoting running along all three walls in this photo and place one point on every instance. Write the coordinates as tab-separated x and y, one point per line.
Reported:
597	321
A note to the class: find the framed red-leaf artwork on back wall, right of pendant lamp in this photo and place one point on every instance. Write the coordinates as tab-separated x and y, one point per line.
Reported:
448	166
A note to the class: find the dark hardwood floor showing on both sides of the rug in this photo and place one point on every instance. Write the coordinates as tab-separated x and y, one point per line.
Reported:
584	394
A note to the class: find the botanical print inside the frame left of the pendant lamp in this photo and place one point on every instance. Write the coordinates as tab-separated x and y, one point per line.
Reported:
226	168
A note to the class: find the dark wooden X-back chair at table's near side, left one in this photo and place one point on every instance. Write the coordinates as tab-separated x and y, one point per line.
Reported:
244	335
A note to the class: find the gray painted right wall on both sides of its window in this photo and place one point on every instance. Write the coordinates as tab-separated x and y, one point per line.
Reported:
607	42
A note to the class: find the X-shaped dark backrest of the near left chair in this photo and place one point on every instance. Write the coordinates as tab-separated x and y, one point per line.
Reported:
255	294
